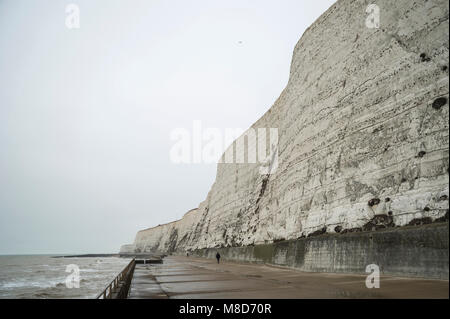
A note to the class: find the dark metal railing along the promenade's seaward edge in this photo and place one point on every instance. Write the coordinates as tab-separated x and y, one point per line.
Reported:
119	287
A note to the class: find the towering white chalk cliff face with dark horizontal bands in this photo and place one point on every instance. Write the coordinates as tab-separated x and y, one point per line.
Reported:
363	137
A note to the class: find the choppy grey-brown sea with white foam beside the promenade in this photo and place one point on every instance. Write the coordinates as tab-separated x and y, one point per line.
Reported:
47	277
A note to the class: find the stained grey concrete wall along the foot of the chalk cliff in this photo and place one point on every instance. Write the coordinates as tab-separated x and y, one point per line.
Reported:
416	251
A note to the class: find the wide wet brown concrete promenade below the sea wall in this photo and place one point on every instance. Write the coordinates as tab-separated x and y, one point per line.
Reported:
189	277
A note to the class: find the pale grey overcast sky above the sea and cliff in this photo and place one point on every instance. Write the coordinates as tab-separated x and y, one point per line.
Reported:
86	114
